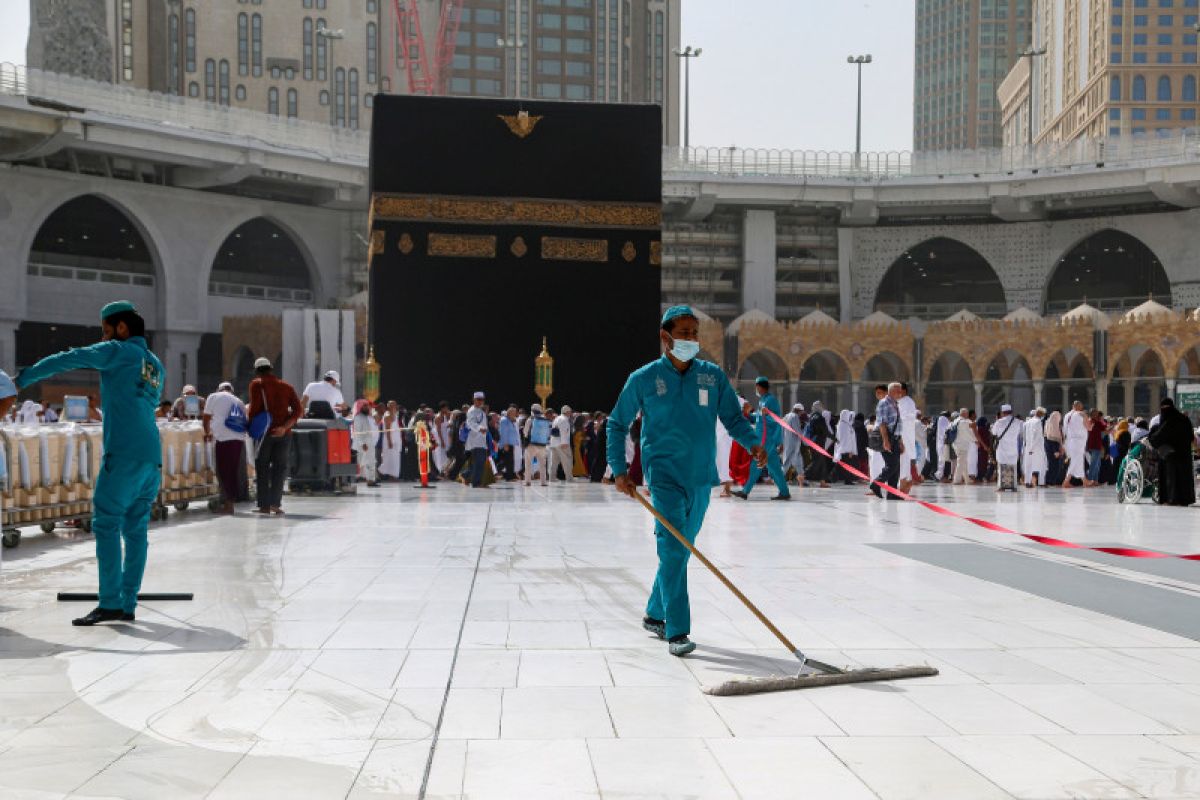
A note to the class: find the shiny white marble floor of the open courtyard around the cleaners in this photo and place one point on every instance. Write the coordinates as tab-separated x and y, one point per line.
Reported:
487	645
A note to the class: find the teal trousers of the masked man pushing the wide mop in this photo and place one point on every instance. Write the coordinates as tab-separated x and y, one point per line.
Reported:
669	598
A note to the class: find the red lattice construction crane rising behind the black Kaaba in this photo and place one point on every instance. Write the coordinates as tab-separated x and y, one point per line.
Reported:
427	76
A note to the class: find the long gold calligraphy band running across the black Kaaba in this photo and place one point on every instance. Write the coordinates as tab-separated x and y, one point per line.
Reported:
568	214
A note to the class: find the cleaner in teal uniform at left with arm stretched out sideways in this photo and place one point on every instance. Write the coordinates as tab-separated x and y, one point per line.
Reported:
128	485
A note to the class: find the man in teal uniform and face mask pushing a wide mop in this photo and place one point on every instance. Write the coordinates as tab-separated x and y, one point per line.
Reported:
680	399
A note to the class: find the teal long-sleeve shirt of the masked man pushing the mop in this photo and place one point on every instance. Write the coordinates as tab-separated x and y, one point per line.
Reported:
680	413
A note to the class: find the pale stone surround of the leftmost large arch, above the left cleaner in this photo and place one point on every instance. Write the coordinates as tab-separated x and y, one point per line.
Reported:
140	220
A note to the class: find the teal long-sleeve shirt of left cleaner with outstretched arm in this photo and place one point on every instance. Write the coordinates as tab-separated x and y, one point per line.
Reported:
130	389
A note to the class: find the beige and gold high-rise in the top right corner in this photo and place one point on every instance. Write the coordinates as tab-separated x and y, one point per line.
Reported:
1112	68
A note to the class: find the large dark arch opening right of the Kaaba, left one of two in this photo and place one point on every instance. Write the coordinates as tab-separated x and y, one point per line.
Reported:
931	279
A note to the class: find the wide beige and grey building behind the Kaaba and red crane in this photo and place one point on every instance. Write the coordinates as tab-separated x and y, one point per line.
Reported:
272	56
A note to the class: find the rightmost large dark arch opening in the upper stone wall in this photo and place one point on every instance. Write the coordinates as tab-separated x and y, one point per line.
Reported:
1111	269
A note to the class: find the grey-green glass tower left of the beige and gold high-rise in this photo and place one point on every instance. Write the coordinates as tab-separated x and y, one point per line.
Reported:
964	50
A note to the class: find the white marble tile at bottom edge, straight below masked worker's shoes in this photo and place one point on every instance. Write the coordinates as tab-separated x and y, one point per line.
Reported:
659	768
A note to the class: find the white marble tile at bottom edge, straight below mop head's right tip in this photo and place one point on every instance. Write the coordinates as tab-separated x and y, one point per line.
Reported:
911	768
